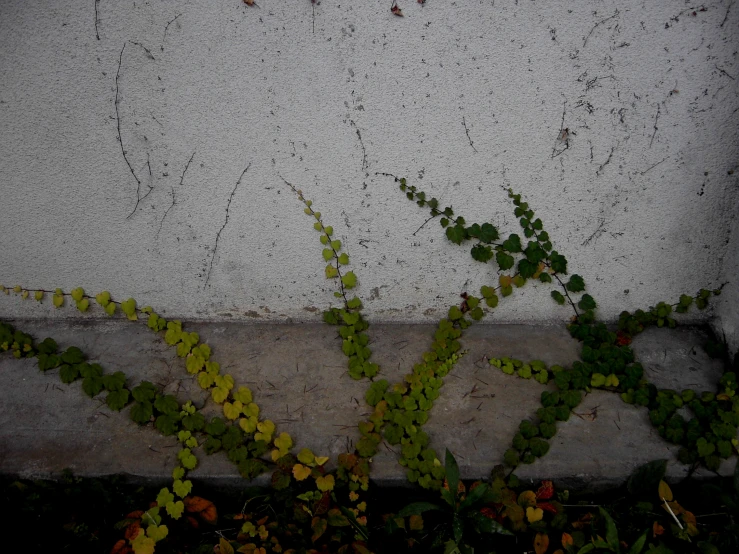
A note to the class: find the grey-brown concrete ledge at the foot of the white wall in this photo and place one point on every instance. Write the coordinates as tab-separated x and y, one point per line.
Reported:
298	375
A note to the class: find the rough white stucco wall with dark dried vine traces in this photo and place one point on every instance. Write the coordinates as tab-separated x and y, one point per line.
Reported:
463	98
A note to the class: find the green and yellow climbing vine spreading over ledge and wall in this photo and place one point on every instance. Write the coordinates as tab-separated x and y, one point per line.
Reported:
330	507
